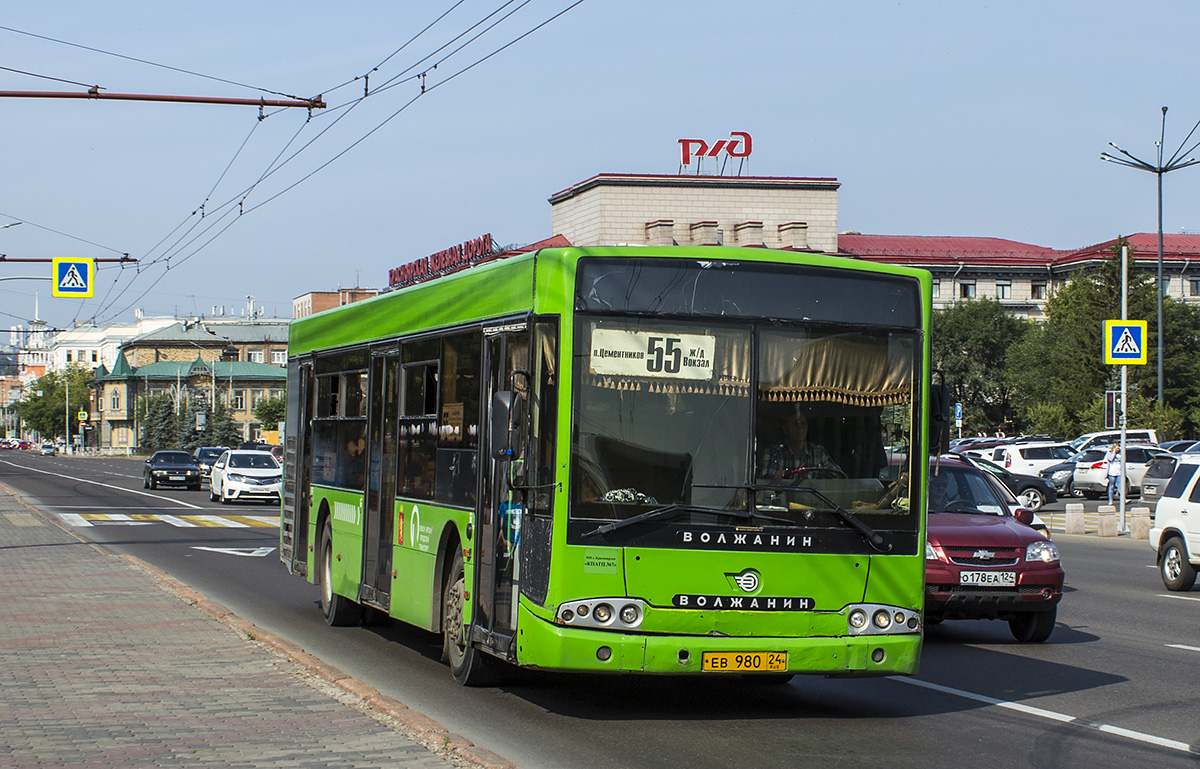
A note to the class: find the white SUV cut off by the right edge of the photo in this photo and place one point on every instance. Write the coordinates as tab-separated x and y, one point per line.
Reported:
1175	534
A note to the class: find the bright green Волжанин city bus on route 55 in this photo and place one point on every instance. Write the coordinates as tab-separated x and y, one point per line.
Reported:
639	460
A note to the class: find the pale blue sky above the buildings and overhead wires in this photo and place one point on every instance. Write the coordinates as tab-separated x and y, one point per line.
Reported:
938	118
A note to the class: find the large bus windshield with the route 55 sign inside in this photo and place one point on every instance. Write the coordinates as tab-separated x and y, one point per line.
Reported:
800	424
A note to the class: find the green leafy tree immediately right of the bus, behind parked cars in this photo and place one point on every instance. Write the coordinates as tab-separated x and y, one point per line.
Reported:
970	347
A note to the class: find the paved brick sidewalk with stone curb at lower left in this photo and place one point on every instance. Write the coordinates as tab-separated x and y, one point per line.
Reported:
107	664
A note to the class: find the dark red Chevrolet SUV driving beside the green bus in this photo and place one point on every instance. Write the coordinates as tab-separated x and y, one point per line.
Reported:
982	558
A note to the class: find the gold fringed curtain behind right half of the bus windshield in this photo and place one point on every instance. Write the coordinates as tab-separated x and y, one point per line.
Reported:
854	370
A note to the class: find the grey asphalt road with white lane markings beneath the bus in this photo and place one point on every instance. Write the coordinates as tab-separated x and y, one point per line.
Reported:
1114	687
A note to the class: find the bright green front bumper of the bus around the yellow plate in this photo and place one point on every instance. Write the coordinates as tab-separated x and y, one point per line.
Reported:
553	647
